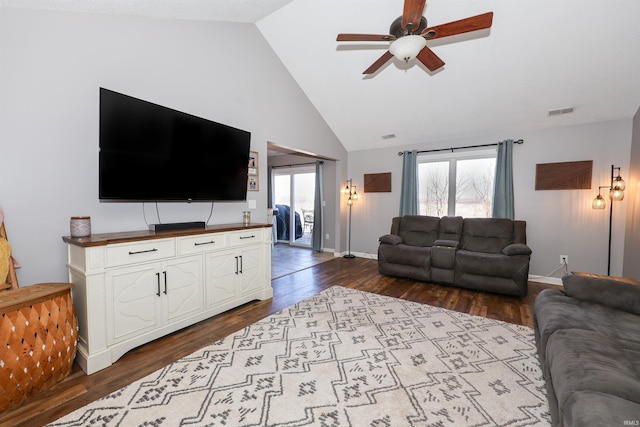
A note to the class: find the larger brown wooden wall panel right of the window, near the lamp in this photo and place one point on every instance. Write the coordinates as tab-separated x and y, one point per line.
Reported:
564	175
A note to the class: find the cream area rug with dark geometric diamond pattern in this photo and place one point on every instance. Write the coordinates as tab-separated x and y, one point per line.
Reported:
343	358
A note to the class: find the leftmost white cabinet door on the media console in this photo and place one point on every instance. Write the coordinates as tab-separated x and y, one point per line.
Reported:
133	301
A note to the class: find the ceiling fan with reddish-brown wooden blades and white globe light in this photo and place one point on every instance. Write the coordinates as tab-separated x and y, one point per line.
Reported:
409	33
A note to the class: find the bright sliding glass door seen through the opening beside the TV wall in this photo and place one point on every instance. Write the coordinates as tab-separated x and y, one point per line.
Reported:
294	195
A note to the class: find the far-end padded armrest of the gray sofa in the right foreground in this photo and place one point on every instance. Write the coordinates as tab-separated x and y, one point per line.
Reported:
620	293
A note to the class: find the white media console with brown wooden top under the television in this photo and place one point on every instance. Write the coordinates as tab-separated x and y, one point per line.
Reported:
133	287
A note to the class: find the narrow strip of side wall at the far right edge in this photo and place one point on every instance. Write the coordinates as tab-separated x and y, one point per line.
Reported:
632	194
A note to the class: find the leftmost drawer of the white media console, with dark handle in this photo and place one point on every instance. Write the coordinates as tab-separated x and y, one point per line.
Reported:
148	250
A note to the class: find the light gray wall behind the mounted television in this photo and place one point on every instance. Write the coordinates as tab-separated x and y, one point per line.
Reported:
52	64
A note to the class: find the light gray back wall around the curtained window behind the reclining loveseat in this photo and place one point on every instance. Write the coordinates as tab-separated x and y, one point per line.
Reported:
558	222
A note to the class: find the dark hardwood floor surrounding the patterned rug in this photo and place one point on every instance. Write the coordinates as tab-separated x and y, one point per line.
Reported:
79	389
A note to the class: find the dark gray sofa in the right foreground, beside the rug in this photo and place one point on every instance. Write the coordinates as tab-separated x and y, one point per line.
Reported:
588	340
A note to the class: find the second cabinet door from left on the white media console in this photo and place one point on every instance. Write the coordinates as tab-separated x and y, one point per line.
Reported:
183	288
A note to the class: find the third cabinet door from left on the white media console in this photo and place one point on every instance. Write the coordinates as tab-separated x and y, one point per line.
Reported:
222	276
